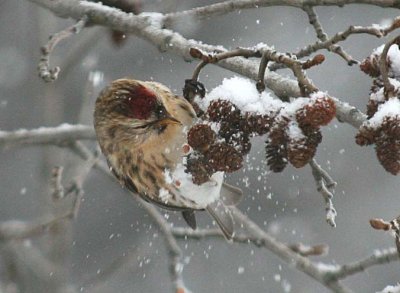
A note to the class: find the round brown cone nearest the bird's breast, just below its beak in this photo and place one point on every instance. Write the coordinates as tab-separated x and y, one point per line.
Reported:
200	137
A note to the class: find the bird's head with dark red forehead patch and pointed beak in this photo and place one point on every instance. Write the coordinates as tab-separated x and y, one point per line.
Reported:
132	111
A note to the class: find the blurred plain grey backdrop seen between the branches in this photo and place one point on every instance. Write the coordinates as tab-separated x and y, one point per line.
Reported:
111	224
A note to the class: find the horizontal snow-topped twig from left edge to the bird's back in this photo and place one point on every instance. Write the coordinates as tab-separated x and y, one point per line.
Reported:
59	135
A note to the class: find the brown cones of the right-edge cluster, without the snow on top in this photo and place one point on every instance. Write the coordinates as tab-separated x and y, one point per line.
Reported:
385	136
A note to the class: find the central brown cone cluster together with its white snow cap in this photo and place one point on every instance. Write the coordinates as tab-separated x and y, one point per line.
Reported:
292	129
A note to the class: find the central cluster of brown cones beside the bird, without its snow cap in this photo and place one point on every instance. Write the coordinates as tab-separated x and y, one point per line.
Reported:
223	146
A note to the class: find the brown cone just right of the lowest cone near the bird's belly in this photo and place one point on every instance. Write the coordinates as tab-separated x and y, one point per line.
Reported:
224	157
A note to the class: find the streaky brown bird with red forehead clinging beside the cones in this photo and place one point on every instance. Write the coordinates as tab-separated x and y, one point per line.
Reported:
141	127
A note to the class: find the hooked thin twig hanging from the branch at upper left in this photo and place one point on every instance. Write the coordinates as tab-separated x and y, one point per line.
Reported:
47	74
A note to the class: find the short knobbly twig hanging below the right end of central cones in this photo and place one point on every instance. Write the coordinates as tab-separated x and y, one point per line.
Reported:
325	186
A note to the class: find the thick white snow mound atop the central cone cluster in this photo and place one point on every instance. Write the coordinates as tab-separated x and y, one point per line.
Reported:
243	93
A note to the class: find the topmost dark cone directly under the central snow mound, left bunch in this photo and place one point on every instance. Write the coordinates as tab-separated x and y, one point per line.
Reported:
223	110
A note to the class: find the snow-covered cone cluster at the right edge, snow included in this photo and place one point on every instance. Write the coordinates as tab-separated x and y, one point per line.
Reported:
383	125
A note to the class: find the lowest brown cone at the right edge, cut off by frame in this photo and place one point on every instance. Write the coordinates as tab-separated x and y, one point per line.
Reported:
388	153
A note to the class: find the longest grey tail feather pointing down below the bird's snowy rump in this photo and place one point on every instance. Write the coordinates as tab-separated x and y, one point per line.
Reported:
222	215
